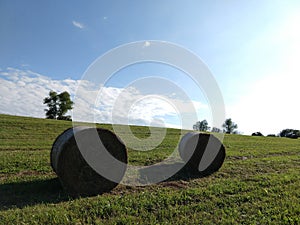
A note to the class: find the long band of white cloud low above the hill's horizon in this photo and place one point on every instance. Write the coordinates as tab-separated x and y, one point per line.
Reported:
23	91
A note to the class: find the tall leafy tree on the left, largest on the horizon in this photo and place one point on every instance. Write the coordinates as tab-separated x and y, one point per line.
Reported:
58	105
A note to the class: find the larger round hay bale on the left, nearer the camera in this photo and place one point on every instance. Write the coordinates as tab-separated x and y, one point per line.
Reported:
75	174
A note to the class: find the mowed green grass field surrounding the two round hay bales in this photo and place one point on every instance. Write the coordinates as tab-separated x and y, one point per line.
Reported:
259	183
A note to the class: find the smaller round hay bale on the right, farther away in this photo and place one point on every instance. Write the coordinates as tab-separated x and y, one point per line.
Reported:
202	153
